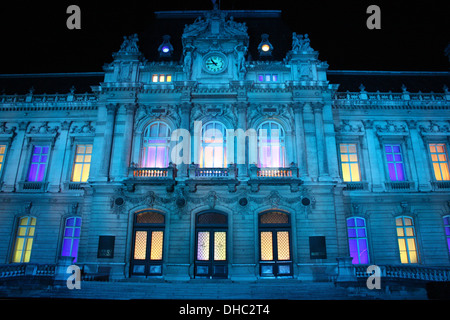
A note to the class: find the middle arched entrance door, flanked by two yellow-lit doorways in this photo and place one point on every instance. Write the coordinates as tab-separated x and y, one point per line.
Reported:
211	246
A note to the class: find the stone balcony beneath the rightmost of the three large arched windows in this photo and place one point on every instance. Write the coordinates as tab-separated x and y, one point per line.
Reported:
274	176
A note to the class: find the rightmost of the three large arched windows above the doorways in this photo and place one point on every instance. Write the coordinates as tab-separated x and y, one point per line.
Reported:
271	145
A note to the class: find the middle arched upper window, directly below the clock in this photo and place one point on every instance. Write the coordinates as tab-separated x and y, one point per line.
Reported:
213	150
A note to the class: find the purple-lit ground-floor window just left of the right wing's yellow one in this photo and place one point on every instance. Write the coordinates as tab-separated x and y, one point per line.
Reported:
357	240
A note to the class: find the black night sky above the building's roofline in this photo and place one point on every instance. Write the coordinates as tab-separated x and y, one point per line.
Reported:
413	35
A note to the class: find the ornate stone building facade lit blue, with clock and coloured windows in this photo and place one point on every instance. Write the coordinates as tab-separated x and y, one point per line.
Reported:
218	159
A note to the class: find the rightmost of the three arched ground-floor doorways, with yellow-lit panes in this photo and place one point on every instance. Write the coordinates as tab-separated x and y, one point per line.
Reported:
275	244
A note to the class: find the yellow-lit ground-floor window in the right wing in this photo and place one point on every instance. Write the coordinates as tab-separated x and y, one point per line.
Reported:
407	243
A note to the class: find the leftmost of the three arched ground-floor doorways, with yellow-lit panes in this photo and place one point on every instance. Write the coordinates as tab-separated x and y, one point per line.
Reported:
148	239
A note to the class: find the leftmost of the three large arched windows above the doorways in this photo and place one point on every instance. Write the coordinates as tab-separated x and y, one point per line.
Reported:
155	146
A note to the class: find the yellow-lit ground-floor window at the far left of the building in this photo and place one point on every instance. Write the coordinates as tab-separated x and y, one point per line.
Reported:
24	240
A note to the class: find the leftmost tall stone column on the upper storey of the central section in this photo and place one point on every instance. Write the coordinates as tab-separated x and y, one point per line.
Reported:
103	172
